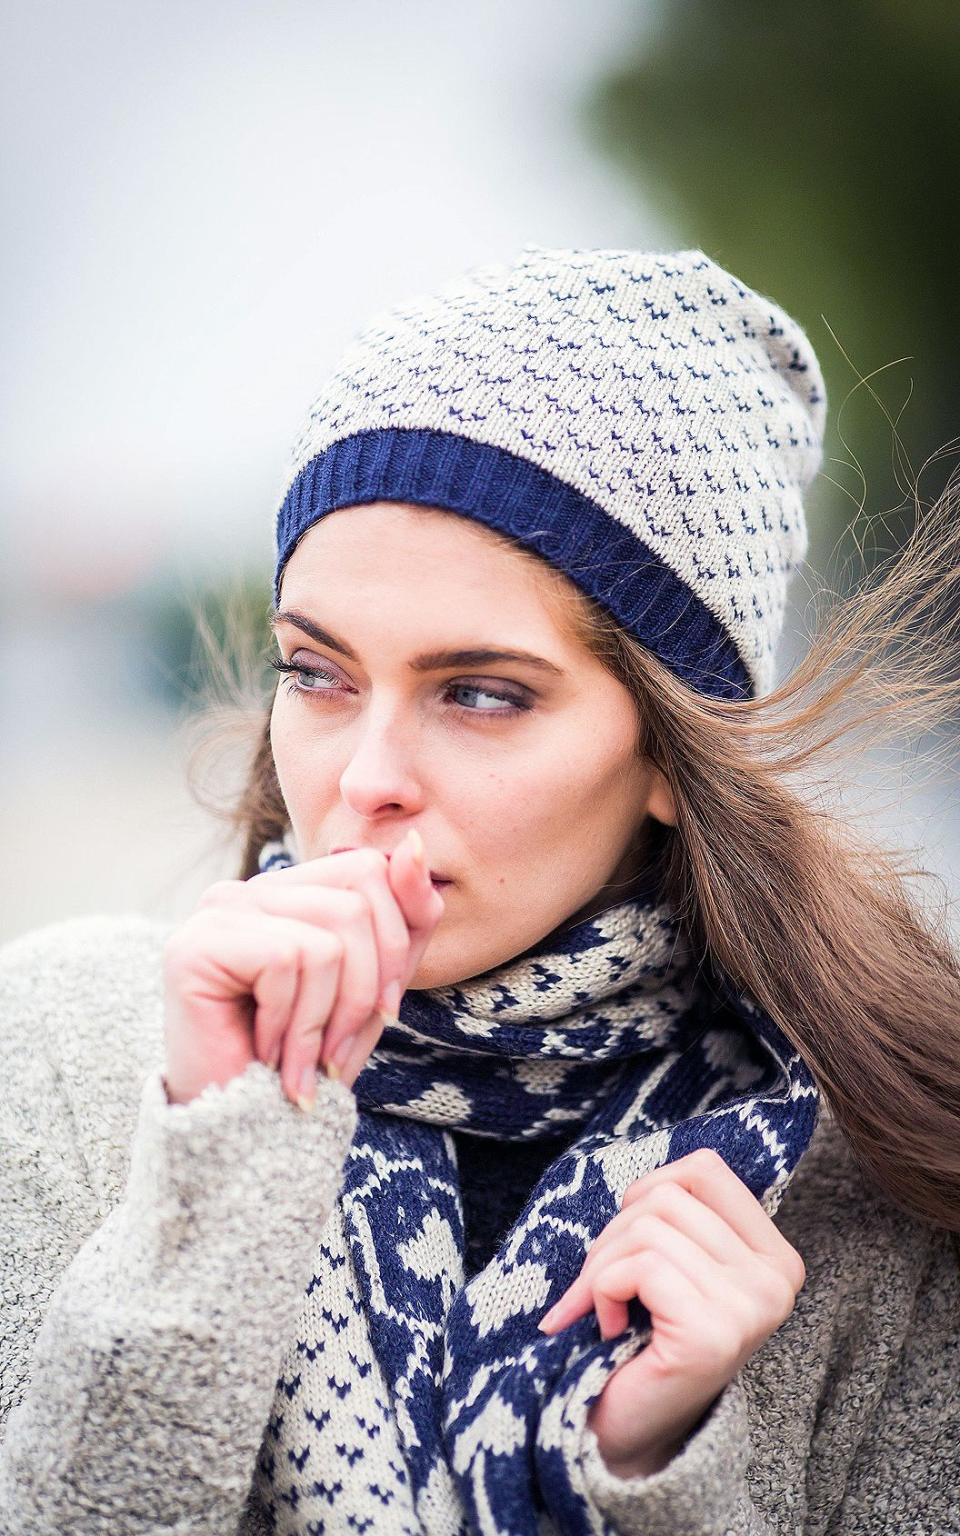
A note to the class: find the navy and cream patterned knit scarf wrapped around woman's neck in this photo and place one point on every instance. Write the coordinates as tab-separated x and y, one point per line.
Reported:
607	1036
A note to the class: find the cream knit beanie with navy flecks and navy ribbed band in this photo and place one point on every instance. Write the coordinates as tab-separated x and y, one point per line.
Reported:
641	420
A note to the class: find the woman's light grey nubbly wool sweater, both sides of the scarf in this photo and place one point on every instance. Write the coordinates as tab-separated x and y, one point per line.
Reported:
154	1262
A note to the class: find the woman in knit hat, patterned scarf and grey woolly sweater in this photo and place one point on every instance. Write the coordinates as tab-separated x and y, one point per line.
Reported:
555	1127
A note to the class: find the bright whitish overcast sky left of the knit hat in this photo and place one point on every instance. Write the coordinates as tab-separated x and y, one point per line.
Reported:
205	200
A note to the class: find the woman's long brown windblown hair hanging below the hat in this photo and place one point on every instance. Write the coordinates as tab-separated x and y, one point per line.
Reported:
773	884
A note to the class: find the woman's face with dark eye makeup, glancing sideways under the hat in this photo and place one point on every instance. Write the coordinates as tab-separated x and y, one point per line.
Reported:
521	776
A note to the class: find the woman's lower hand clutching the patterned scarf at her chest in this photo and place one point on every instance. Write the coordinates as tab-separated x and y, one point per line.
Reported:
718	1279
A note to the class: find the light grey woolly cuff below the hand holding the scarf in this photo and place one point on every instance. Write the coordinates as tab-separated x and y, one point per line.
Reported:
700	1492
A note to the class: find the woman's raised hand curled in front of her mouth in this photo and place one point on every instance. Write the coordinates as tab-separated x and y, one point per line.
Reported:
293	968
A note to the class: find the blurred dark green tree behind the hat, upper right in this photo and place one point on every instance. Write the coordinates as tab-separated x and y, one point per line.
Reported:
813	151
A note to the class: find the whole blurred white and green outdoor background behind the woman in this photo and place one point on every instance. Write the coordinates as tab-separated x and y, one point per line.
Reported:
204	202
